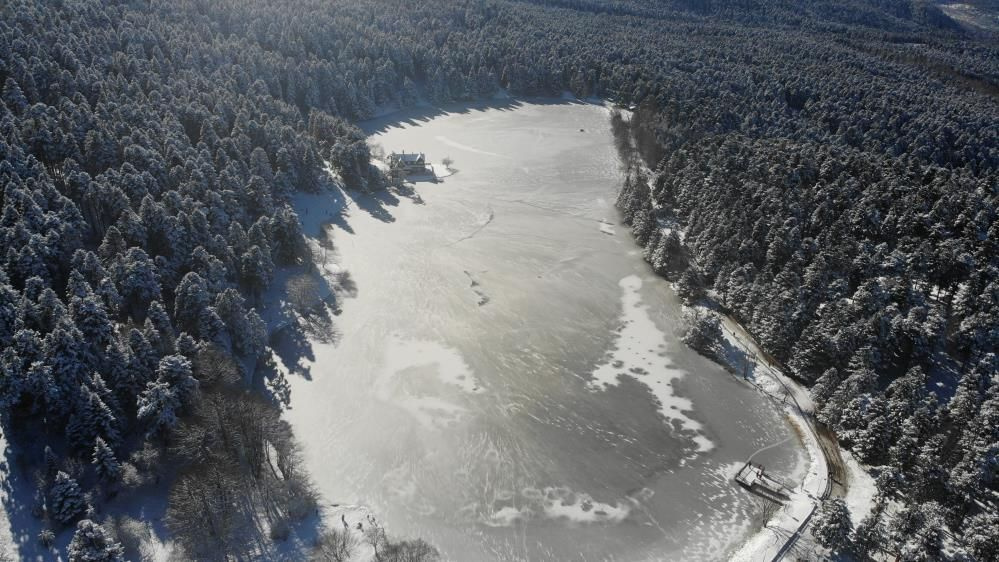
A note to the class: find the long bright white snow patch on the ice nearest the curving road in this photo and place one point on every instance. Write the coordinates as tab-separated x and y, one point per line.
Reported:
640	353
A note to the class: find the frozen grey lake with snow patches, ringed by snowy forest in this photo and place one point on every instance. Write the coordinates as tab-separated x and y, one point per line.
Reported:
508	382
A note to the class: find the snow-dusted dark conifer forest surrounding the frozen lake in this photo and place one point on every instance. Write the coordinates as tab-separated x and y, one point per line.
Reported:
834	165
